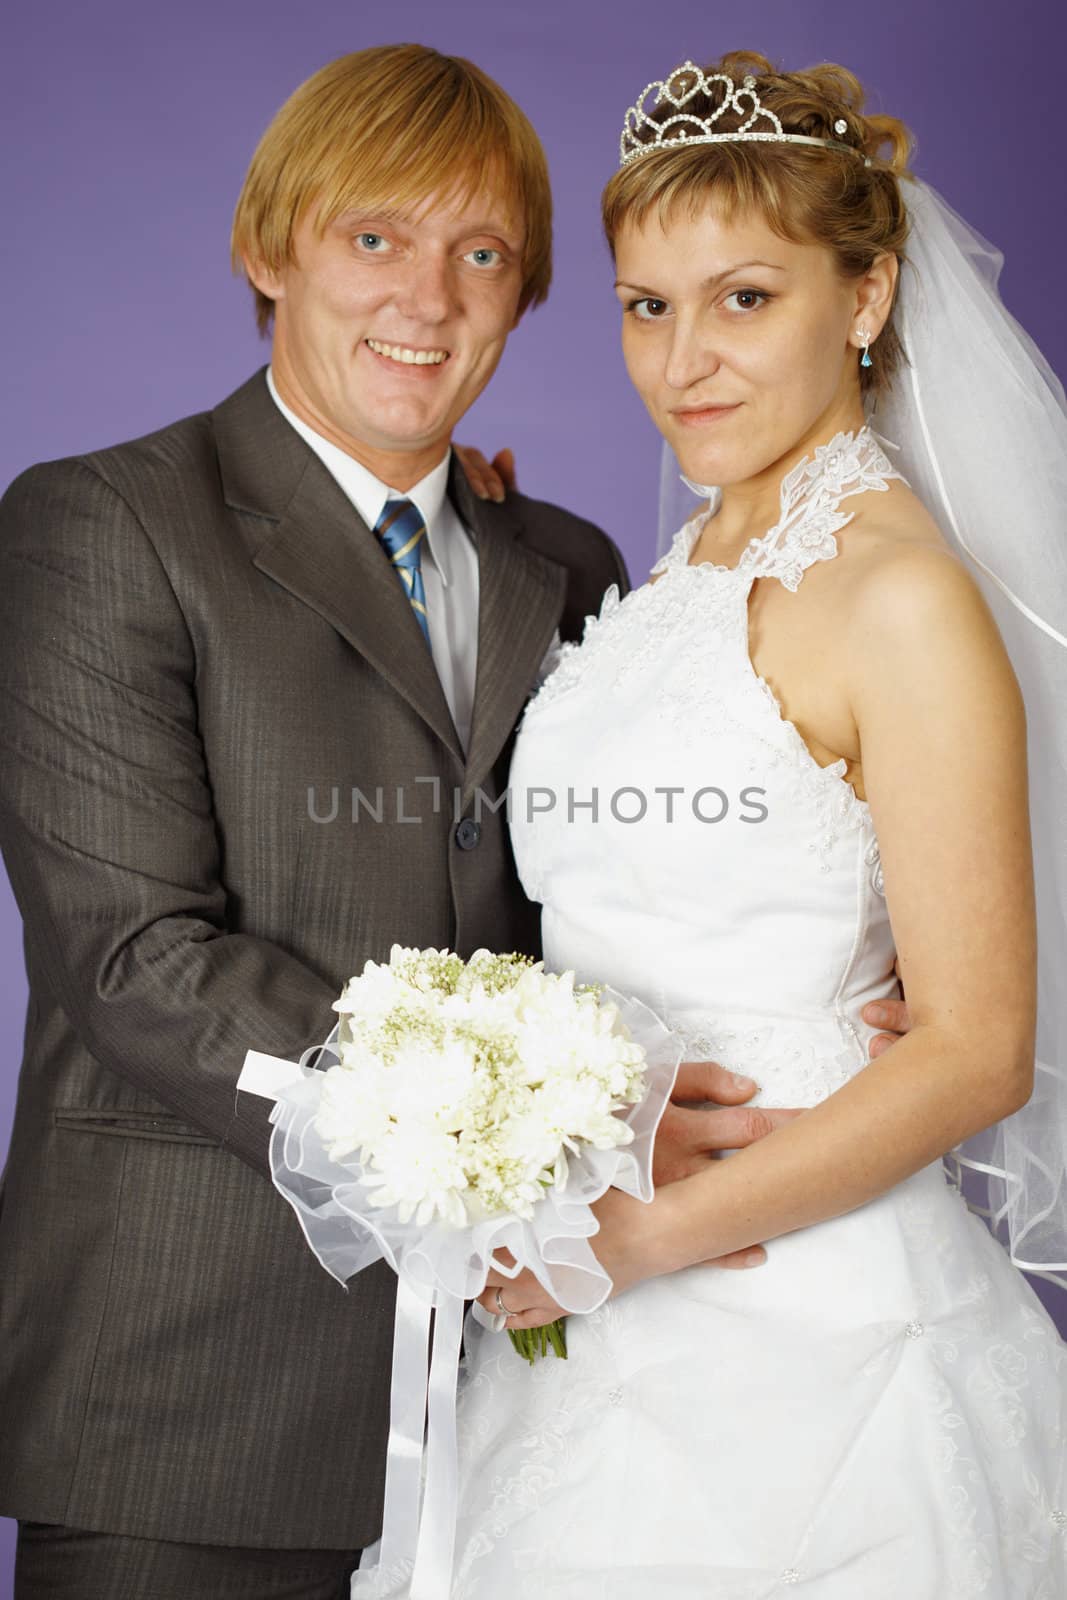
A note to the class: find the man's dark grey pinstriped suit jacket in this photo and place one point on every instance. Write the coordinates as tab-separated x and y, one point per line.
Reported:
199	644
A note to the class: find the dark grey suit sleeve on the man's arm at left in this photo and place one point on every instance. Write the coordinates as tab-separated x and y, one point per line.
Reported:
106	817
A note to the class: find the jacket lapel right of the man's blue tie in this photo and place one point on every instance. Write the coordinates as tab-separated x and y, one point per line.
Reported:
521	602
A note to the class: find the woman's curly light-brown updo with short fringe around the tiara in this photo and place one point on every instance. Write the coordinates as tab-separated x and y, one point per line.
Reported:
807	194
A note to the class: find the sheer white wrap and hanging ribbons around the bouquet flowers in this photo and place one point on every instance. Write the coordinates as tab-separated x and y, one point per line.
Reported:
439	1268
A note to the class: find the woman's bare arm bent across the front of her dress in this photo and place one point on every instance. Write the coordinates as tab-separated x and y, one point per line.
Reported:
943	740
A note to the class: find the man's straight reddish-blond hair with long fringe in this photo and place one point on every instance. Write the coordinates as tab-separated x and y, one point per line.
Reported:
378	129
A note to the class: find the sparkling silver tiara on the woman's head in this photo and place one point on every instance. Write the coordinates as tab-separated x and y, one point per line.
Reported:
701	130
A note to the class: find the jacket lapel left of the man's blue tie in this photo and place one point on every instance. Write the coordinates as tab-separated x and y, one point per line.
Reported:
322	551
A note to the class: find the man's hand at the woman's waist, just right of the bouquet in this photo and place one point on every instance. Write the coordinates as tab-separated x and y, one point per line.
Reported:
708	1114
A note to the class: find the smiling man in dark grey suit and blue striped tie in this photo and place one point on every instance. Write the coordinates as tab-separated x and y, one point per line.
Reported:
262	673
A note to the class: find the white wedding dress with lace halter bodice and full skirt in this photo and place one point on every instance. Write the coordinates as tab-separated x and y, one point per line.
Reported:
881	1410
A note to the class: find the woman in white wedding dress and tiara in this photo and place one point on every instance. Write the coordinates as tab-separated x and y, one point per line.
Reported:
793	756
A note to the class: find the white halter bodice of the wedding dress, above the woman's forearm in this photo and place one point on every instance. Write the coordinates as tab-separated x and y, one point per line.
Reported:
682	839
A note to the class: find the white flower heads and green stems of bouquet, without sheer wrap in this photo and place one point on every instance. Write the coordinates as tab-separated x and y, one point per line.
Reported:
463	1087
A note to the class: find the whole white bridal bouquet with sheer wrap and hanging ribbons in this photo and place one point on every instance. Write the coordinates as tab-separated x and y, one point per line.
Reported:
466	1110
